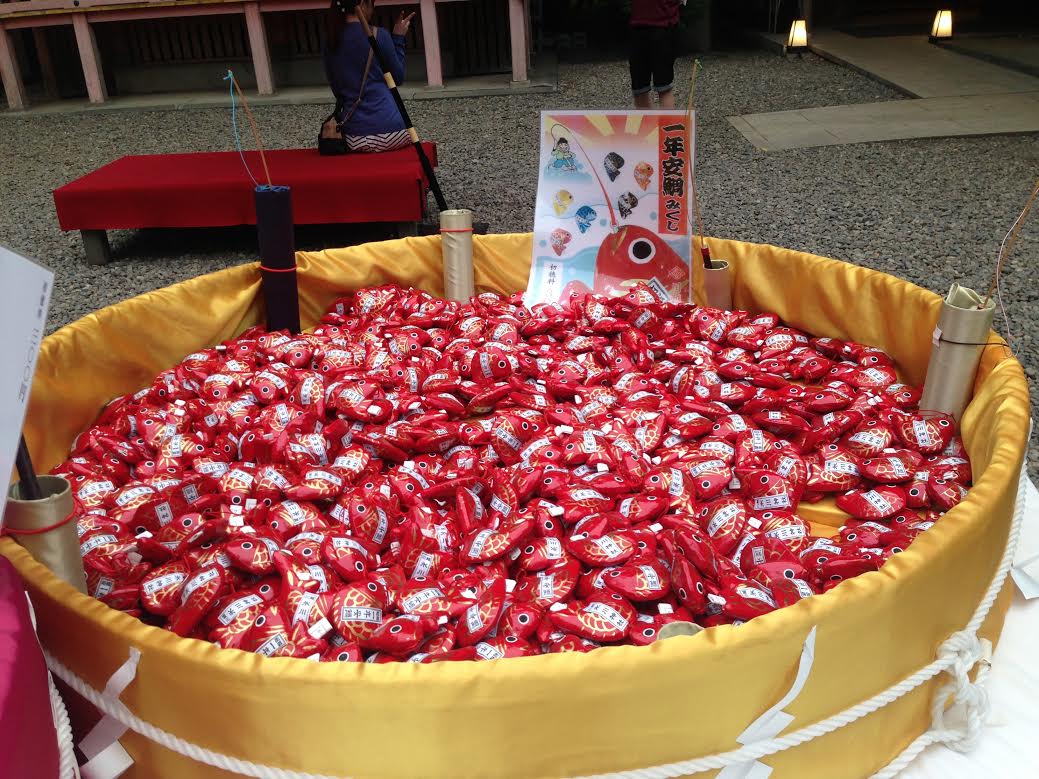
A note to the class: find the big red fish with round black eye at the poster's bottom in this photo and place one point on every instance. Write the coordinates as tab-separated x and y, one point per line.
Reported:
631	256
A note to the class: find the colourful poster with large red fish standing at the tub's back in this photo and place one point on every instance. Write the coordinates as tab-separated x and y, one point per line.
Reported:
614	205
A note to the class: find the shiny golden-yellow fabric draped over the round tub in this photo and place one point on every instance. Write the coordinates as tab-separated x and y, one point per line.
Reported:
566	715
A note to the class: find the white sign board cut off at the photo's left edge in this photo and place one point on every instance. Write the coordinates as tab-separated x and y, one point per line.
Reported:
25	298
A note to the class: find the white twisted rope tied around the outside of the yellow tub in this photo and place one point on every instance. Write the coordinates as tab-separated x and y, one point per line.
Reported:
958	655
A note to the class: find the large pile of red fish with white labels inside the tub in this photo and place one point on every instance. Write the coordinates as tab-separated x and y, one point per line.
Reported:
425	480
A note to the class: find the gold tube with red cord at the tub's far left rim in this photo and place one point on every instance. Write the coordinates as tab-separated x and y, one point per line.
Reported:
59	550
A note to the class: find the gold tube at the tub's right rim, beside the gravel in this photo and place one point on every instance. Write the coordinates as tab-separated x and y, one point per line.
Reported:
958	342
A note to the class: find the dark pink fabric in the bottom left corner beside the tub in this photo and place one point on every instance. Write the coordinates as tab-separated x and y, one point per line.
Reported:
29	741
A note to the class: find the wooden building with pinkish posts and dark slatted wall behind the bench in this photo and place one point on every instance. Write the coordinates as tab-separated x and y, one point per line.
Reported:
101	48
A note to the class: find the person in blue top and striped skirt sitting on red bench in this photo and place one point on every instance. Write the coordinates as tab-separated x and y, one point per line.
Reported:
365	109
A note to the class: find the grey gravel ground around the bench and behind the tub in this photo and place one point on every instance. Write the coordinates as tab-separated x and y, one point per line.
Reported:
931	211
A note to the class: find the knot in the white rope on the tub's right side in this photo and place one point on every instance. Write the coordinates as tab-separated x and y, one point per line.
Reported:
960	727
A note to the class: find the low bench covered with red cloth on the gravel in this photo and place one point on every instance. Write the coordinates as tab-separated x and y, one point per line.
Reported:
215	191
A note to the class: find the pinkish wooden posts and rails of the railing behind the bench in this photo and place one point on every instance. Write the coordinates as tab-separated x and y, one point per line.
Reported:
229	39
